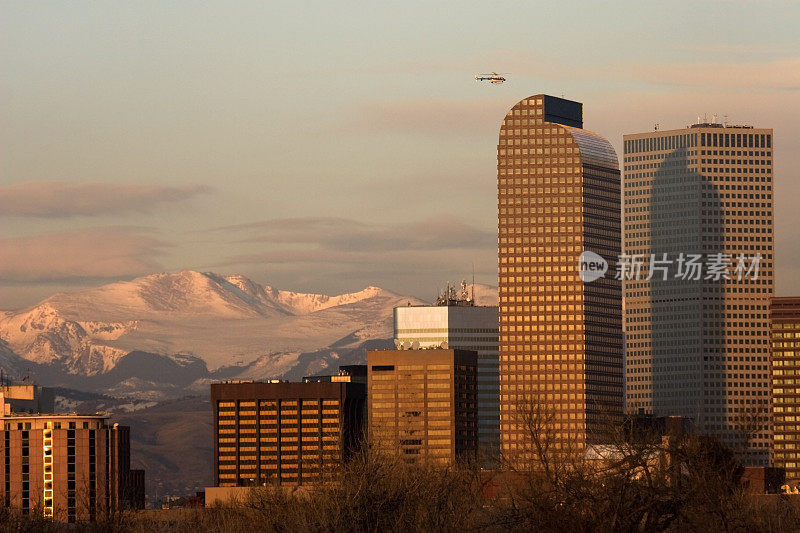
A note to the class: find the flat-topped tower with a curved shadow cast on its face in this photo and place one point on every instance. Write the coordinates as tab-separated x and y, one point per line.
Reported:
698	222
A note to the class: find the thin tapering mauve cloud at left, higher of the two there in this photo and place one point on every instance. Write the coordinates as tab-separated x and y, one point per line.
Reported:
50	199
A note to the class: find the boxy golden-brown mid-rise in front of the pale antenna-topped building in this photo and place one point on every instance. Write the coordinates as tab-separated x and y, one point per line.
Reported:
423	403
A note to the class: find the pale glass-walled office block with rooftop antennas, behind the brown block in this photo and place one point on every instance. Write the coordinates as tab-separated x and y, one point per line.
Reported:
456	323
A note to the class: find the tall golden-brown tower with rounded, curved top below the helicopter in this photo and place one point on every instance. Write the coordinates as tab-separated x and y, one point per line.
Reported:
560	337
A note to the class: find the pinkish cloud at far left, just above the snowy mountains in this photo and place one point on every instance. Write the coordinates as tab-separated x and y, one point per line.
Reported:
97	253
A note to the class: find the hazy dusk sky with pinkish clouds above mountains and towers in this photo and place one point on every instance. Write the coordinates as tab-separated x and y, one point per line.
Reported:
328	146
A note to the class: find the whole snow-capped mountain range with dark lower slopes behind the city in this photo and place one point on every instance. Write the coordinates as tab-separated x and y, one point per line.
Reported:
172	333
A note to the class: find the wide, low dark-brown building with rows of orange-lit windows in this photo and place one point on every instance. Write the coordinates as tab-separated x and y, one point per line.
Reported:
284	433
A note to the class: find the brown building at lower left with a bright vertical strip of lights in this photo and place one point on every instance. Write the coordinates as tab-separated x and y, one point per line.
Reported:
68	467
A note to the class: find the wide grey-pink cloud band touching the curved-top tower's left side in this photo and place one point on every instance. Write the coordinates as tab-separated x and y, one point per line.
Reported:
341	254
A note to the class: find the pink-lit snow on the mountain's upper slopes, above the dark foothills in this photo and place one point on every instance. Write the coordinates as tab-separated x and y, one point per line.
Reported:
222	320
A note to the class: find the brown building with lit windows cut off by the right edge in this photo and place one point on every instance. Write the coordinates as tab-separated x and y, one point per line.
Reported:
785	322
